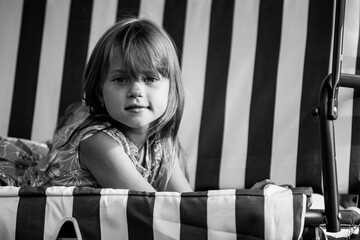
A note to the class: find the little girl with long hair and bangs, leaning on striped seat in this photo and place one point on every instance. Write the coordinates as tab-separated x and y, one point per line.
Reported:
125	136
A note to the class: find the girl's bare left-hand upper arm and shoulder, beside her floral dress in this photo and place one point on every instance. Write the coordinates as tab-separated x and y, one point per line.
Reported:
110	165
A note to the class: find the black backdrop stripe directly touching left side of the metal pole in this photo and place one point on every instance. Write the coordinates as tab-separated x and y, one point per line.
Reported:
316	68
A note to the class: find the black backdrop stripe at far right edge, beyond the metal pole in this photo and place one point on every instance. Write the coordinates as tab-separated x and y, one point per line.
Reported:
354	171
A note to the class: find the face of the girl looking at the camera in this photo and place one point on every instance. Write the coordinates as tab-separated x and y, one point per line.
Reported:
134	102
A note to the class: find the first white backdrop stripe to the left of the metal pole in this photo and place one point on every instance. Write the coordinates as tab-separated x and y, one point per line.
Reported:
288	91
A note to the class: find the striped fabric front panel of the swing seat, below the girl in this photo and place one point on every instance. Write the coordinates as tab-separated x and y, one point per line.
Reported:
273	213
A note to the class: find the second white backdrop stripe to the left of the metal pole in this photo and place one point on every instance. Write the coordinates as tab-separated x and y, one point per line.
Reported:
238	94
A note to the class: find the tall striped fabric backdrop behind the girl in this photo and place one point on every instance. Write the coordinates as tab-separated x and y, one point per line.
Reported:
252	71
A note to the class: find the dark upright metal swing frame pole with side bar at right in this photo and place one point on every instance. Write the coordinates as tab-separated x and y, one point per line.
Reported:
328	113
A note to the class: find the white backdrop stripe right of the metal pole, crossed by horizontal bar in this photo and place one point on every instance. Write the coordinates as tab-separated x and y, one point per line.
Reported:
343	124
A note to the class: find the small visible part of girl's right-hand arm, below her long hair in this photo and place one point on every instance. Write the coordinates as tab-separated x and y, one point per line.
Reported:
178	181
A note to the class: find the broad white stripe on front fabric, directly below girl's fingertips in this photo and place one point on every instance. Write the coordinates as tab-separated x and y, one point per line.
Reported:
278	211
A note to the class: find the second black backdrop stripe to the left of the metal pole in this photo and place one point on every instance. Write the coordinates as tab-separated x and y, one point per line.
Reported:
262	106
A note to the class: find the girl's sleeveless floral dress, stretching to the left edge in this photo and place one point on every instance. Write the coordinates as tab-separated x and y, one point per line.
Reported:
61	166
